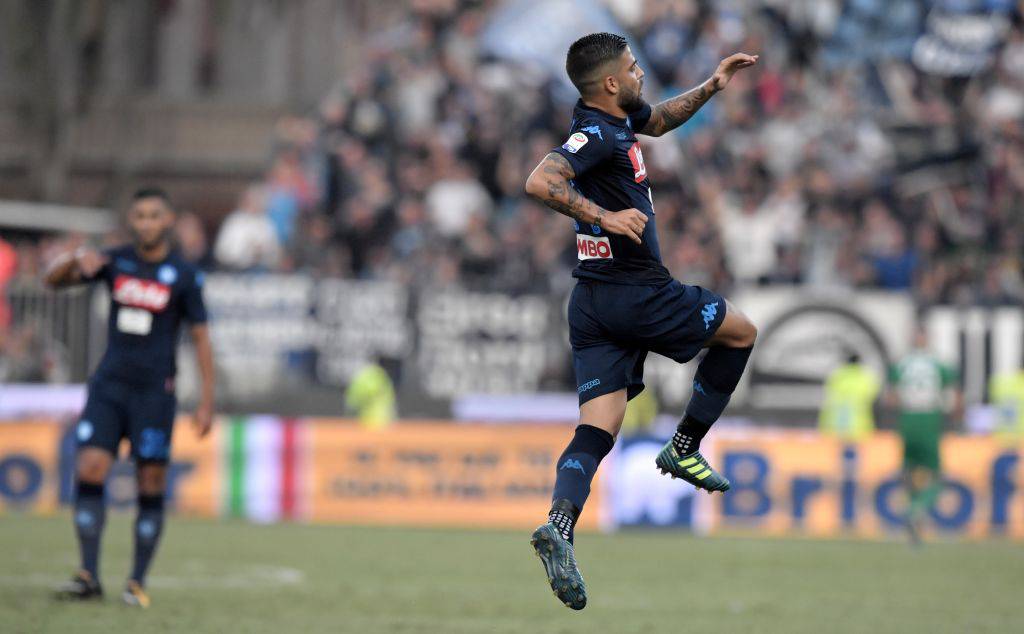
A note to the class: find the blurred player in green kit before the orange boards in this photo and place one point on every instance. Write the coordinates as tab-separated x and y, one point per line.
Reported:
922	387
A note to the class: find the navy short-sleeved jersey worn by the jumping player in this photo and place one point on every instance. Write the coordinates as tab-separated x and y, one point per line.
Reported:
610	171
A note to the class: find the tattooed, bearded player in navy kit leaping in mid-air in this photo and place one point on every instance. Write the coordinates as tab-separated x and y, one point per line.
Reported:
626	304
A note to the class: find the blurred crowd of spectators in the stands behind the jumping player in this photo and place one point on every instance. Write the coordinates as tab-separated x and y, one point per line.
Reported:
837	162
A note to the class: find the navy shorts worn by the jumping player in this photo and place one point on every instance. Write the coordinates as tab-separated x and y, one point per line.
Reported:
614	326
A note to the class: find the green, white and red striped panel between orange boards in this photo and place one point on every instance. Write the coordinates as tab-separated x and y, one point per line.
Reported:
263	463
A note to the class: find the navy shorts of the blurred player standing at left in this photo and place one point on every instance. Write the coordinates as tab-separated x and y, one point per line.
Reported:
116	410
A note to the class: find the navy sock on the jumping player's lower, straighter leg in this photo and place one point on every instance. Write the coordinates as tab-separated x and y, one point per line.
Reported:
575	473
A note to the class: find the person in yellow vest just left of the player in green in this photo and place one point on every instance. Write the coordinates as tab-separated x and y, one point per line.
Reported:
849	400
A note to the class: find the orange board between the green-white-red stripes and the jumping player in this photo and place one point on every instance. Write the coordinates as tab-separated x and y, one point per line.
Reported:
441	475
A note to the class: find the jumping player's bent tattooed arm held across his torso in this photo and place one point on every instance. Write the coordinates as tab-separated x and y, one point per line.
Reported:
549	183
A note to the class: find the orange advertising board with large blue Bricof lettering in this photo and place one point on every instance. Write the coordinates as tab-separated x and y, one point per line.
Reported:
794	482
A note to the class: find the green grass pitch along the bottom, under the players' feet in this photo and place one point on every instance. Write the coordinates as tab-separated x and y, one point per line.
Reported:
216	577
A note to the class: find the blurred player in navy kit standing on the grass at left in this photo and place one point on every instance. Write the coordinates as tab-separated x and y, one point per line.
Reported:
132	394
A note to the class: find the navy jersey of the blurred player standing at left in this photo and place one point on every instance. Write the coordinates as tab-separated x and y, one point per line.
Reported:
148	303
